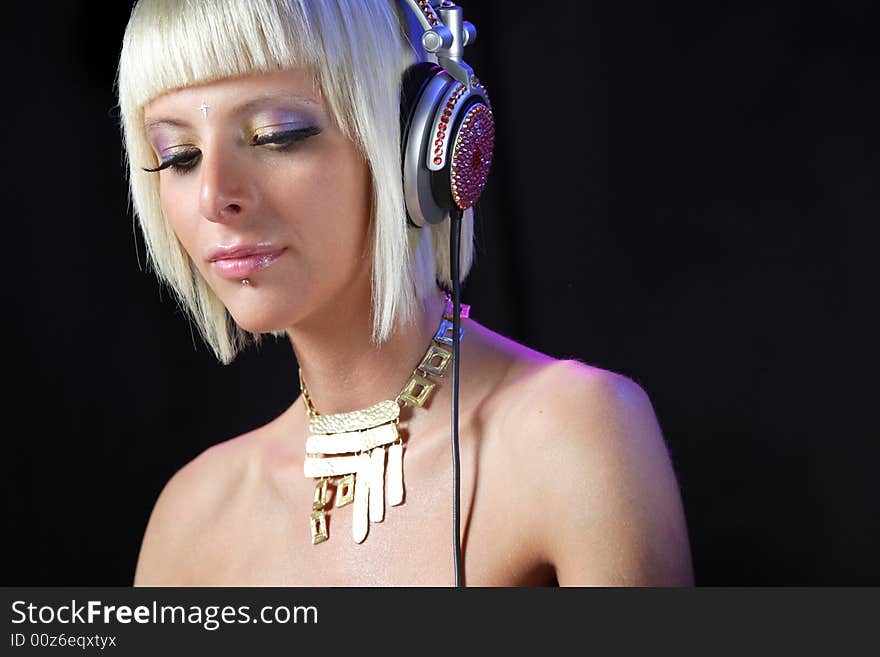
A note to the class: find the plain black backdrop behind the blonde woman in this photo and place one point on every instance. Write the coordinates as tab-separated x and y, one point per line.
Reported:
685	193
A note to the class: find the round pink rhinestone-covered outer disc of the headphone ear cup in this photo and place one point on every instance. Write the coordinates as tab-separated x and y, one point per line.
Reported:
472	156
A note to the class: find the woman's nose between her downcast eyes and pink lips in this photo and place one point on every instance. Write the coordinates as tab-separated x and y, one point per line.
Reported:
224	192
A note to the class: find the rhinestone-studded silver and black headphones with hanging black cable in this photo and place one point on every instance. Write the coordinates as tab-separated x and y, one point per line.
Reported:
447	143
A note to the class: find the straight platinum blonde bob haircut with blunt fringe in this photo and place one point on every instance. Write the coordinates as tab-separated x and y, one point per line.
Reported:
357	51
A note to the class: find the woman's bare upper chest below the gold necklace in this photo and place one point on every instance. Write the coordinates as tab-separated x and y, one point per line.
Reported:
262	536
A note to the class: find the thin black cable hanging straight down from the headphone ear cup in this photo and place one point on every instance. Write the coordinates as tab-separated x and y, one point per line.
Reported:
455	216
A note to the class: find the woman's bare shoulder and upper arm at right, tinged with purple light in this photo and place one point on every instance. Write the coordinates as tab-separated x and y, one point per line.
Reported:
597	474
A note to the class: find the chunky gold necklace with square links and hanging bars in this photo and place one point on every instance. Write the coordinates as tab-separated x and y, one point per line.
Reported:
351	446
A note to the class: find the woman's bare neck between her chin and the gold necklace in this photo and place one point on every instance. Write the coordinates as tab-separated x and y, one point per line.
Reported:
343	370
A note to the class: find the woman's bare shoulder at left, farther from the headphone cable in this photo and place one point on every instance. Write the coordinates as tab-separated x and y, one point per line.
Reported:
186	506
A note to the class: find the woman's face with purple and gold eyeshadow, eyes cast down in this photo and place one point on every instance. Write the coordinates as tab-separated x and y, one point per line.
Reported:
259	183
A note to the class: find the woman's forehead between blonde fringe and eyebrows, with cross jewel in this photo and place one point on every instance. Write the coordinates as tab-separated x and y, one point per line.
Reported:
229	97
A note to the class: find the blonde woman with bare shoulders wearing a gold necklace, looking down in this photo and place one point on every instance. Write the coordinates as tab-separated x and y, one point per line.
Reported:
263	144
